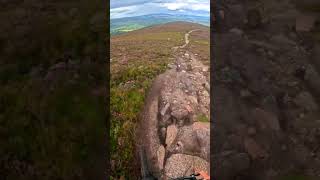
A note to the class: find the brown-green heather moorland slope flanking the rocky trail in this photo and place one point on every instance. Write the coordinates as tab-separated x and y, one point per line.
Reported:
137	58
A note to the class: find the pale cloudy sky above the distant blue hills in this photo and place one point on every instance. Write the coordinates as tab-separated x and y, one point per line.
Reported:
128	8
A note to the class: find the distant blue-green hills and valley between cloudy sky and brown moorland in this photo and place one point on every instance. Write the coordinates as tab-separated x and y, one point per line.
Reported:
122	25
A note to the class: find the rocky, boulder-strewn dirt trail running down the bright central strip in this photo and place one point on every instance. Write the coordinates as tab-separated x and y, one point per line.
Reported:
175	141
